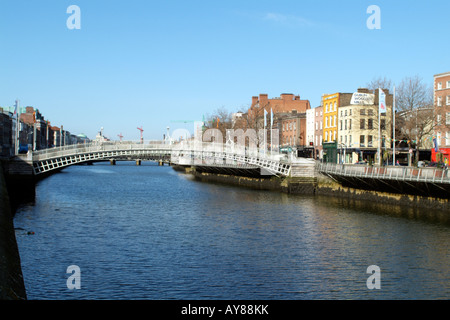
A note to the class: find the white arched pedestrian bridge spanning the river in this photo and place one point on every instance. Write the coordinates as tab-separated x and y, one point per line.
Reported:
189	153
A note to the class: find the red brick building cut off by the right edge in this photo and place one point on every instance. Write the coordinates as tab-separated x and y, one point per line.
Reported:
442	110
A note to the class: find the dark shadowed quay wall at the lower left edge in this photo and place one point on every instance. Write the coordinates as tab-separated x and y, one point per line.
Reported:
12	285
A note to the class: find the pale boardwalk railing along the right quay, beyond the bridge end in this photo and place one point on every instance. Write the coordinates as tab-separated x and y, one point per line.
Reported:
426	174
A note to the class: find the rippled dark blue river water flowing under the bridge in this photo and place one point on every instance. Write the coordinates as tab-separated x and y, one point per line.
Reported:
149	232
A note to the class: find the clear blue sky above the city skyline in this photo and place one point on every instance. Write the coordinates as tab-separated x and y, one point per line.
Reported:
147	63
